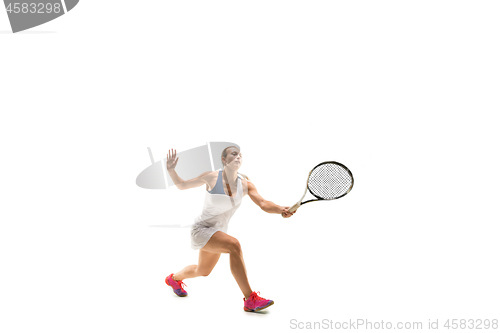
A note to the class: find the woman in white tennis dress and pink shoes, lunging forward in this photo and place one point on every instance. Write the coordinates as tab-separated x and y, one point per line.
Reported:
225	190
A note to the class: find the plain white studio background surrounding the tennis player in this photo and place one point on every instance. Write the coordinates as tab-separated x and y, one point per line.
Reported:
403	93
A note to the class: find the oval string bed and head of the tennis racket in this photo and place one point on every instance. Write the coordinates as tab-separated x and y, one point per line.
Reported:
329	181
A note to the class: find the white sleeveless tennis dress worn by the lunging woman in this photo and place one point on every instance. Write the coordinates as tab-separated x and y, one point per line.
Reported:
217	211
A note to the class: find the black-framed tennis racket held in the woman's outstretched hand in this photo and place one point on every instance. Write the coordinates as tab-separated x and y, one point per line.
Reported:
327	181
